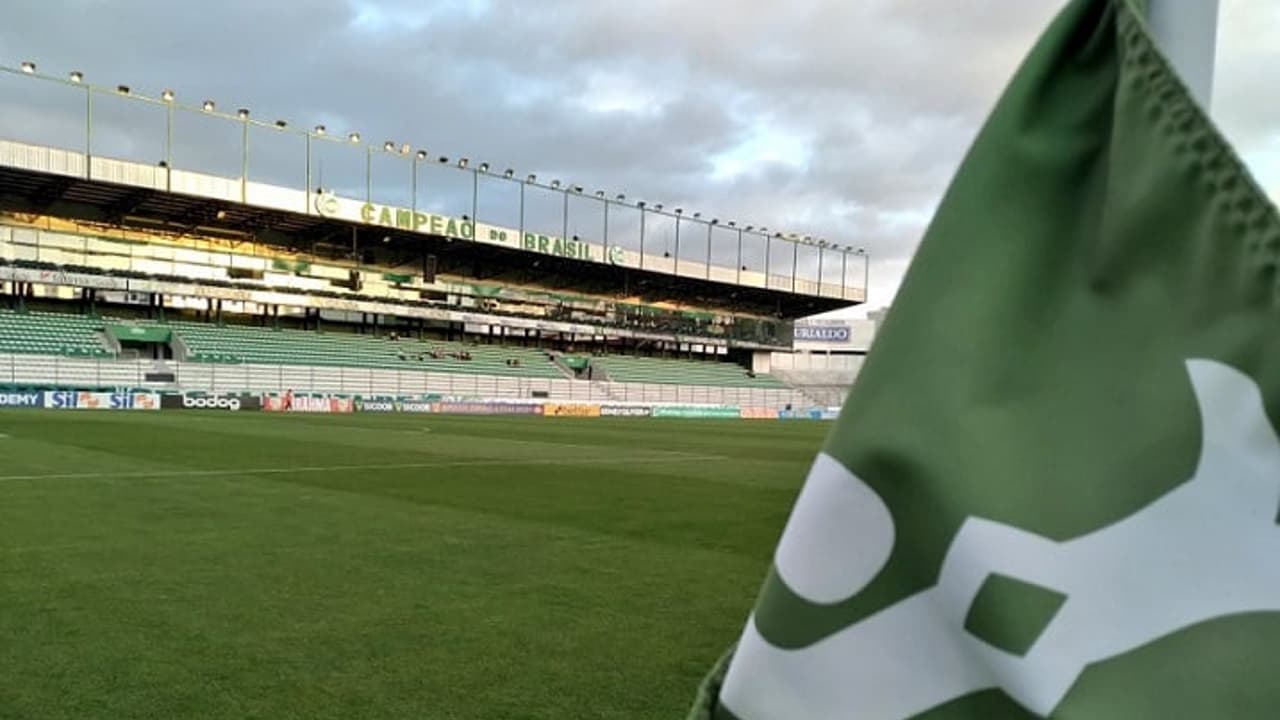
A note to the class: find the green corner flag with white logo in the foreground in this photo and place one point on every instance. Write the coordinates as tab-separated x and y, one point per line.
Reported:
1054	490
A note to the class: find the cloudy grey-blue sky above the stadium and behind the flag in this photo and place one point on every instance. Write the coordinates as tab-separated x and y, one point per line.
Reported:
835	119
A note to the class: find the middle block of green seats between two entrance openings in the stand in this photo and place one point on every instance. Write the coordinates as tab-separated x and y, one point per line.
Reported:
243	344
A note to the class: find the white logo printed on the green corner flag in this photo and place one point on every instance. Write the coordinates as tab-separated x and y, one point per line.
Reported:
1205	550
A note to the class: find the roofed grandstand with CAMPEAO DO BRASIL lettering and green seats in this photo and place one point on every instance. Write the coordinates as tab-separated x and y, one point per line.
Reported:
117	272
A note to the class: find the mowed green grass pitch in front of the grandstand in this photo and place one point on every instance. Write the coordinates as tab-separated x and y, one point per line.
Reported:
218	566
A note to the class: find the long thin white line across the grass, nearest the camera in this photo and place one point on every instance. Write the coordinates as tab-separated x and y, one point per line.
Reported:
144	475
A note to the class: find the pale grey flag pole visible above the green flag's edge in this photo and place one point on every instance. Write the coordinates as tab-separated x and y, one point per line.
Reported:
1187	31
